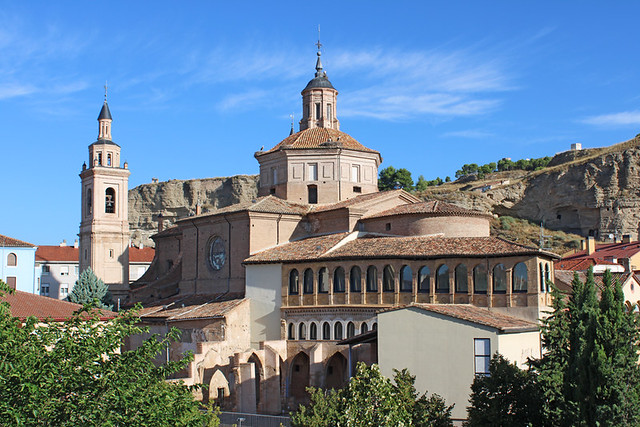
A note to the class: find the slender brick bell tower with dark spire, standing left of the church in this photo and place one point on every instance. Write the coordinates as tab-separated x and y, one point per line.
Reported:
104	224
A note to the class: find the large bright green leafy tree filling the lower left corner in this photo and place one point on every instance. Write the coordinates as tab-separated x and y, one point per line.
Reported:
74	373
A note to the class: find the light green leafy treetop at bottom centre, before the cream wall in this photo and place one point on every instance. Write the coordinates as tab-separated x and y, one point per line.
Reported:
370	399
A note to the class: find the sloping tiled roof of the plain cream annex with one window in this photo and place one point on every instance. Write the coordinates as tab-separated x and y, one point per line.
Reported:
478	315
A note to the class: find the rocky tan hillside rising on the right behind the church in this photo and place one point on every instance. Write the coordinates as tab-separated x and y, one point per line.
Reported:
595	191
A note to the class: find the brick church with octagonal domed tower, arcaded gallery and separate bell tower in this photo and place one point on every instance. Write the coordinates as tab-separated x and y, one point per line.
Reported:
268	293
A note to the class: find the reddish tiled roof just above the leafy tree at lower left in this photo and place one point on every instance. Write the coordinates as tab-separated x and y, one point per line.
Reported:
25	304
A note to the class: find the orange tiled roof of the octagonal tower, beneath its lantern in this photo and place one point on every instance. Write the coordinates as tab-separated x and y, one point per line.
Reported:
318	138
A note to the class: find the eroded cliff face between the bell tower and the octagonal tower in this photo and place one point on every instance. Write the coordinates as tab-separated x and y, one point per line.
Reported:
177	199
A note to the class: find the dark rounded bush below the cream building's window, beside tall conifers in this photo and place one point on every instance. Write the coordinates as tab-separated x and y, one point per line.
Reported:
508	396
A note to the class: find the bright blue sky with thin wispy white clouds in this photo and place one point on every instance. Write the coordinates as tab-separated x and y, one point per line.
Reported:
195	88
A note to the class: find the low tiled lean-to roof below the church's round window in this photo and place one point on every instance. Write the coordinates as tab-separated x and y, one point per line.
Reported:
186	307
